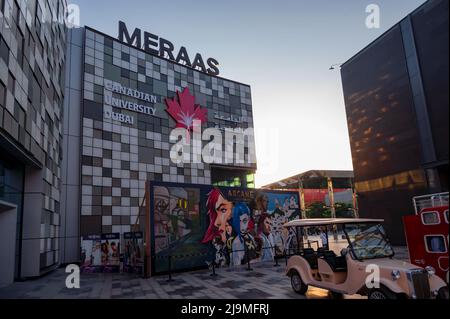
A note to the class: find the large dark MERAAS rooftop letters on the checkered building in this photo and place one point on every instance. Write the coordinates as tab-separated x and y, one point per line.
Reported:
156	45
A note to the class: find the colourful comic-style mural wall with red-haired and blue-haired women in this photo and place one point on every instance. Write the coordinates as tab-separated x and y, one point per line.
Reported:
201	225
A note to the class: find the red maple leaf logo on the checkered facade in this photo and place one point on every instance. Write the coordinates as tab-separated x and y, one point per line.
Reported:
186	111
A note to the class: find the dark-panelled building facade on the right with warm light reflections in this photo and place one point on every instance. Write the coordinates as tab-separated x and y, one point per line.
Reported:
397	104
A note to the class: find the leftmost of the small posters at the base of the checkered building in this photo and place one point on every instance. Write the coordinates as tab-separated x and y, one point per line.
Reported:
91	254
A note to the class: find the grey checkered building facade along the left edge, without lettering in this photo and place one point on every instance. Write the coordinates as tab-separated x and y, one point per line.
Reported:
32	69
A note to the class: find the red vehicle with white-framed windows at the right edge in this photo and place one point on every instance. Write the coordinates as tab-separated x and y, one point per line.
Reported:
427	233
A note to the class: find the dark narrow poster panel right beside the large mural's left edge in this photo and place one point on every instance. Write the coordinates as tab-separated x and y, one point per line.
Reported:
133	254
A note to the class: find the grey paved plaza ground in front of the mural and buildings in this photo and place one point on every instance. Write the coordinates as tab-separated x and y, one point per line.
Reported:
264	282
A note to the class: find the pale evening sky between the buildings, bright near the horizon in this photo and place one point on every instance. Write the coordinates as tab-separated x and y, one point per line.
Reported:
283	50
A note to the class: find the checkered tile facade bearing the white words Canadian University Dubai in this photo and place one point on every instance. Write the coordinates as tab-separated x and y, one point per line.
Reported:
123	134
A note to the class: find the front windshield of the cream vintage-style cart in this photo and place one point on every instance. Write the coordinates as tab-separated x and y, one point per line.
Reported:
368	241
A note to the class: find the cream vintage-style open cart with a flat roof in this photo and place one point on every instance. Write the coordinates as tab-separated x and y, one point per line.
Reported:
340	254
